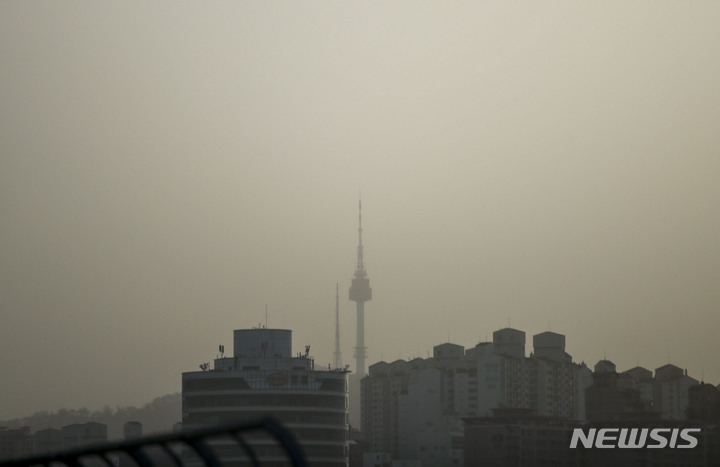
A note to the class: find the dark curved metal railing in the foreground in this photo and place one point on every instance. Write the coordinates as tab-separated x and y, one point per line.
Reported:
196	440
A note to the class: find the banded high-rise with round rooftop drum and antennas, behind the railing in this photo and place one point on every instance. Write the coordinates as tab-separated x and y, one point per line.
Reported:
263	378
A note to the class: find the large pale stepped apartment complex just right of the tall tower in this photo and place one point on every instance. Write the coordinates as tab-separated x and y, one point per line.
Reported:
413	410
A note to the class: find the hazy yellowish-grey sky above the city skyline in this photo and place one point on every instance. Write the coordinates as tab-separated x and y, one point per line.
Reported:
169	169
